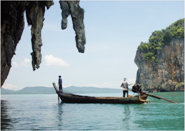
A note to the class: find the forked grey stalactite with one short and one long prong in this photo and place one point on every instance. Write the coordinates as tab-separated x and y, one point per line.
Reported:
77	14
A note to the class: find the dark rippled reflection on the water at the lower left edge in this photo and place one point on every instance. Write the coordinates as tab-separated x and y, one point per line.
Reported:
6	122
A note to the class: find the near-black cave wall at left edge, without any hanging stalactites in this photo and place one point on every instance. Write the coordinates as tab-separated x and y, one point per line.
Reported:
12	25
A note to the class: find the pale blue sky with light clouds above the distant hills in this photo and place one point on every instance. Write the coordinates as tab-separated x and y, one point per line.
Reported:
114	30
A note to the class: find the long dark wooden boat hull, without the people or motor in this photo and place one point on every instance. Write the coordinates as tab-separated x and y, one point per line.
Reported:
71	98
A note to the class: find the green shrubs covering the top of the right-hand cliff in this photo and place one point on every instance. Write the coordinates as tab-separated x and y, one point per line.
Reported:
158	39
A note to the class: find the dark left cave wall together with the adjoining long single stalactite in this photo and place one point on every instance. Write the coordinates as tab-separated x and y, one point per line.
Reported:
12	26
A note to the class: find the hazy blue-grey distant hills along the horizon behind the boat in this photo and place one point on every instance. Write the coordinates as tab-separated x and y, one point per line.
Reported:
50	90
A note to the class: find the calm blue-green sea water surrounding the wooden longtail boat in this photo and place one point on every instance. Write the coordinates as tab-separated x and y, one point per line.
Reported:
43	112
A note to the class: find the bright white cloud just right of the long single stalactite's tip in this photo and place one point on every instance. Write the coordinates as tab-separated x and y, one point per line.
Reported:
54	61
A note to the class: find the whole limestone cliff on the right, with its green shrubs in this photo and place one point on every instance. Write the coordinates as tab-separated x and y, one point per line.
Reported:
161	60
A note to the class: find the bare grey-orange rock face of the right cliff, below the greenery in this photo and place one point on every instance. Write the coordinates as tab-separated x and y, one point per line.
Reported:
168	72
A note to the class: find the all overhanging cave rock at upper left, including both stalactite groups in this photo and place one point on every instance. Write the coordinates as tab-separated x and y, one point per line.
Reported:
12	25
